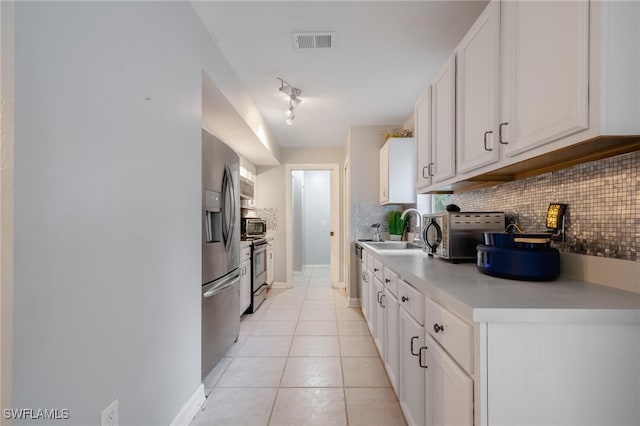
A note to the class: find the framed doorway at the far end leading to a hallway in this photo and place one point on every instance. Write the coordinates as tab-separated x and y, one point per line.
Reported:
312	225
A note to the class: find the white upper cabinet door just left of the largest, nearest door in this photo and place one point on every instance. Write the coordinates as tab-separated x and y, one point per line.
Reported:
477	92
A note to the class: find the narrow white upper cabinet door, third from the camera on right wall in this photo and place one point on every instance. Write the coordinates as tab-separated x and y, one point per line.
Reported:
443	146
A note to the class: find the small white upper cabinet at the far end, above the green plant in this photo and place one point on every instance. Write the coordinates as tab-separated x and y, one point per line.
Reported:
397	171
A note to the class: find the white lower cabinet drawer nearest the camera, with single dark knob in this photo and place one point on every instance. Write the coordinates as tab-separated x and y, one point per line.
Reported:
454	334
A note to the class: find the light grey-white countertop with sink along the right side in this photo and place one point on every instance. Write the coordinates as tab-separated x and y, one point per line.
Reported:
482	298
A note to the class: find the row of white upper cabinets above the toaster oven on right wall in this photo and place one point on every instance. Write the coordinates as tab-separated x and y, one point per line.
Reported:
535	79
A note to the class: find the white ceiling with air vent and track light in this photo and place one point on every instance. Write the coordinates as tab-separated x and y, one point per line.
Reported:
385	54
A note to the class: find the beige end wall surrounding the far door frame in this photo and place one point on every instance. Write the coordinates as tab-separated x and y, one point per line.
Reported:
270	195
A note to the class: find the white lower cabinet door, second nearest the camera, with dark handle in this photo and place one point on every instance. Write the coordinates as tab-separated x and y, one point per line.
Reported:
410	340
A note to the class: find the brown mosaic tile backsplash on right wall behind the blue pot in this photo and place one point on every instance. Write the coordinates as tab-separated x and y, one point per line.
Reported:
603	214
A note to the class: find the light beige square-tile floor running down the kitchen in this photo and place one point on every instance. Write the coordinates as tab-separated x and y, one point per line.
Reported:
304	358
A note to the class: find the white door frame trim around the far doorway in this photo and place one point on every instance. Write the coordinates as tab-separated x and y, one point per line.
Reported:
335	224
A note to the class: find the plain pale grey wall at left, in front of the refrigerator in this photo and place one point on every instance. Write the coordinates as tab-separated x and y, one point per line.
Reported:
107	206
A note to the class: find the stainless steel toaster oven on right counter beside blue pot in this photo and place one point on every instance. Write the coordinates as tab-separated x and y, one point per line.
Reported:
455	235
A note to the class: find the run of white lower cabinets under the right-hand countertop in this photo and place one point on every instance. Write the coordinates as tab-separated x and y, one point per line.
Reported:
453	372
